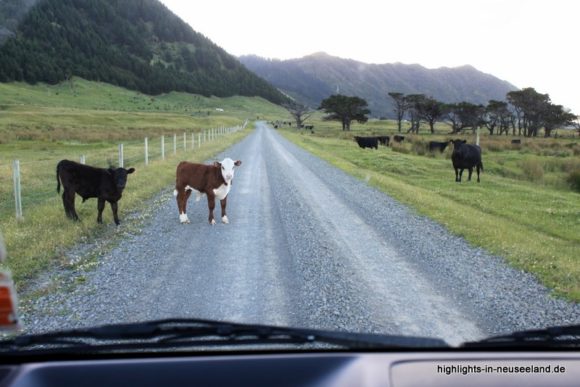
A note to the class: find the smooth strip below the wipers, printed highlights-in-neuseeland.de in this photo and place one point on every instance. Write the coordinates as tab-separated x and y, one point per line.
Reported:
397	369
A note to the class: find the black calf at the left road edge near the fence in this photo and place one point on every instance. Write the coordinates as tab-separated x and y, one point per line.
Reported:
90	182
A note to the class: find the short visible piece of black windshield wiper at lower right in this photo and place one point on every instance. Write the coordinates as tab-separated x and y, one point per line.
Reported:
552	337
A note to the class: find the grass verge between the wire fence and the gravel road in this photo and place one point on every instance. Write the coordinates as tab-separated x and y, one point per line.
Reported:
40	241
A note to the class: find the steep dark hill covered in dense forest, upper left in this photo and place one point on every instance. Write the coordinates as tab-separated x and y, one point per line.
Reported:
137	44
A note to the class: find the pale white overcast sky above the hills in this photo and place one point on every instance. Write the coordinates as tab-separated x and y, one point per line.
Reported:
529	43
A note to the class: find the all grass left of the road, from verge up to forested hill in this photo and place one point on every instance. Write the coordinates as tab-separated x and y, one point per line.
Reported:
42	124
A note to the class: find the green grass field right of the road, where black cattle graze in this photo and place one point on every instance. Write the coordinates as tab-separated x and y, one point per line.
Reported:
530	218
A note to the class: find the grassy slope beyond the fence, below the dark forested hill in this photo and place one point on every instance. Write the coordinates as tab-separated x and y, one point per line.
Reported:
93	111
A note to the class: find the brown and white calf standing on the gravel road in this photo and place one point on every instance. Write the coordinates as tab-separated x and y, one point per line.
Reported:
215	181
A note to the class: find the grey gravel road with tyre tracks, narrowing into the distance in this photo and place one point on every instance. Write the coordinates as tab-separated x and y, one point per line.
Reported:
308	246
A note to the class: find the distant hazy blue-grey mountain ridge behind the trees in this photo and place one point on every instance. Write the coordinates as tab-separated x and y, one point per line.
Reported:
313	78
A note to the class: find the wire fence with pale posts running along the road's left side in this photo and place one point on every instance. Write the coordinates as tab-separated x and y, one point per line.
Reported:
25	183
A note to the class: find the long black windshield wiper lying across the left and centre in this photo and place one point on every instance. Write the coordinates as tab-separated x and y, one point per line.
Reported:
198	333
